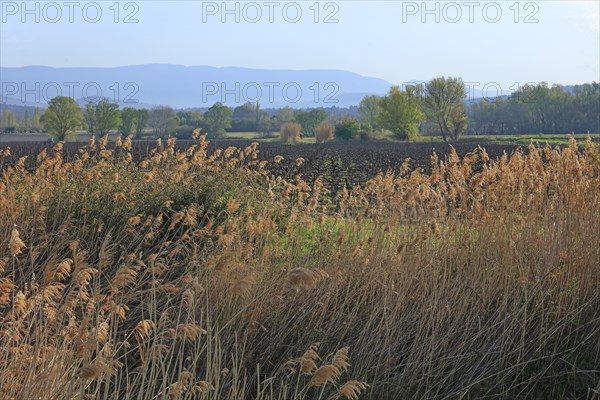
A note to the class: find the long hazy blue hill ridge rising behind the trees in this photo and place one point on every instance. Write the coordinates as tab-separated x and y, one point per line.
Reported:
183	87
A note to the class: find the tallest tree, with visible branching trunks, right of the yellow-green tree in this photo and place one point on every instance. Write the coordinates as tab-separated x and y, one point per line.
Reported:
445	104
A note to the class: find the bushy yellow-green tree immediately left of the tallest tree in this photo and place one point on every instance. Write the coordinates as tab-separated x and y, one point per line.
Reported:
400	112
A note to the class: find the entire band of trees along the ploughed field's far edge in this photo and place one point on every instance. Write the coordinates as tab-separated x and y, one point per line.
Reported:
439	107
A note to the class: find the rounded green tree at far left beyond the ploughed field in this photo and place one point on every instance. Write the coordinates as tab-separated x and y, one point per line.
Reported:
62	117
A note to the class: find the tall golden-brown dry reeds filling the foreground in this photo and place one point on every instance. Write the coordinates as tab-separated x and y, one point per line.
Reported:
189	274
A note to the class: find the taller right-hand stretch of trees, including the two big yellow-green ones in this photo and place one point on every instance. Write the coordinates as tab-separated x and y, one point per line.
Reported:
440	108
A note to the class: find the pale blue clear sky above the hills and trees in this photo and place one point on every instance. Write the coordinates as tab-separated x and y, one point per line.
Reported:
505	42
